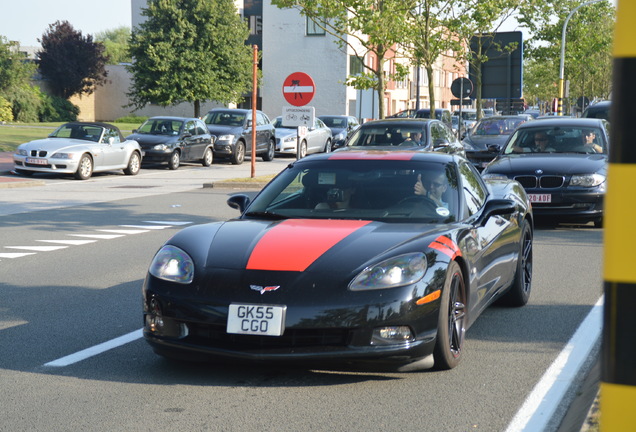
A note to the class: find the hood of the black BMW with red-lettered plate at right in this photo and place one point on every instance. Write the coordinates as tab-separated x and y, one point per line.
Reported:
549	163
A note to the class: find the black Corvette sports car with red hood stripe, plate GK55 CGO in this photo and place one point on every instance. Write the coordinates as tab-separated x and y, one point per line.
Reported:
338	260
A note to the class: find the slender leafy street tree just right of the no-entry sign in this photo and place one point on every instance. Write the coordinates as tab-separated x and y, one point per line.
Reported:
372	29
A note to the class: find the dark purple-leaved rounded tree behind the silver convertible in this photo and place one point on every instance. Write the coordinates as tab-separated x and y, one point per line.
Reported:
72	63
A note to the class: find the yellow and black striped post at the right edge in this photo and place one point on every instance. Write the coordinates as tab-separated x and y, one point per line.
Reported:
618	378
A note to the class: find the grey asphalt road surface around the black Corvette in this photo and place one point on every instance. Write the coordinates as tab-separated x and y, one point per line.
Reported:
80	251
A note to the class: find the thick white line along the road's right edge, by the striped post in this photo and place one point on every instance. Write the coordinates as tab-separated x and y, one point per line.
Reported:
540	406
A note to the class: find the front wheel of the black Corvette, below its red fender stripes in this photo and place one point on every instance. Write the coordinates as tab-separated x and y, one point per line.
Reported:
451	322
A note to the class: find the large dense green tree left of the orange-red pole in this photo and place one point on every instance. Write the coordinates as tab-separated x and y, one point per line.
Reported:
190	51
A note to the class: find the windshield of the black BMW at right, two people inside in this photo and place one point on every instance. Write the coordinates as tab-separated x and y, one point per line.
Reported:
557	139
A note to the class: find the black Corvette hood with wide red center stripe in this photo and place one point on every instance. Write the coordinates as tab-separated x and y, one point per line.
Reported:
330	247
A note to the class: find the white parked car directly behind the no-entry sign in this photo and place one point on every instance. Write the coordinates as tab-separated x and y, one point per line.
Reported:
318	138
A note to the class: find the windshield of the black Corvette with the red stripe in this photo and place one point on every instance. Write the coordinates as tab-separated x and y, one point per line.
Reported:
358	189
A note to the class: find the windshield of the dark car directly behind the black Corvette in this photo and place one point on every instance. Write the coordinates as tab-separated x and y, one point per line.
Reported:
389	135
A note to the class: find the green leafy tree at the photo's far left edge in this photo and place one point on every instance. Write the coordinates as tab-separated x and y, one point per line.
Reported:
15	83
